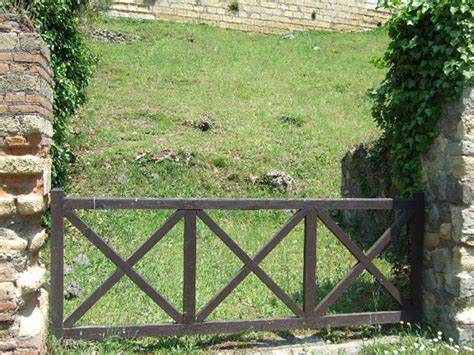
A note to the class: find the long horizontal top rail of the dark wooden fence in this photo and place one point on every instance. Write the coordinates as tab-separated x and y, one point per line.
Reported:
90	203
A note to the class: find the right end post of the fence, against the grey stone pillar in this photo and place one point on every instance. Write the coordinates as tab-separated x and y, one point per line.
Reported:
417	245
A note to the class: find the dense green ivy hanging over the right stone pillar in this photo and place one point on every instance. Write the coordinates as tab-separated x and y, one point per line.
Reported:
430	60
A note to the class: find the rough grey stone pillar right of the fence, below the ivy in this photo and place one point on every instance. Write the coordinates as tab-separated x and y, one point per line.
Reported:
449	233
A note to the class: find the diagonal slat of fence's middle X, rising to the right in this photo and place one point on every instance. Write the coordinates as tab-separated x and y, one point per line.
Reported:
242	274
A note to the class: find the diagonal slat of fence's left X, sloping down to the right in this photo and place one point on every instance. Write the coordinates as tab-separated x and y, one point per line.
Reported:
123	265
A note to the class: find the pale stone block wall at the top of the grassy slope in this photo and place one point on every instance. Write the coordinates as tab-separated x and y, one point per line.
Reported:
265	16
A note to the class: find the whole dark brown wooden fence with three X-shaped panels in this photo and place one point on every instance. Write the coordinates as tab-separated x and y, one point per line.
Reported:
190	320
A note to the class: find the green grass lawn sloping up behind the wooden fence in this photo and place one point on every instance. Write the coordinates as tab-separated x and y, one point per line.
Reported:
296	105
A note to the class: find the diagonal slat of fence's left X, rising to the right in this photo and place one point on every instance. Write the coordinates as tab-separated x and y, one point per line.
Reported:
118	274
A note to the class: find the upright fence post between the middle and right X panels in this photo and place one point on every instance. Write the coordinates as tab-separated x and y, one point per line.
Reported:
310	245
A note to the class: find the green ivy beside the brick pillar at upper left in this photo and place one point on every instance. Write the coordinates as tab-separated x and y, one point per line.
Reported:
58	22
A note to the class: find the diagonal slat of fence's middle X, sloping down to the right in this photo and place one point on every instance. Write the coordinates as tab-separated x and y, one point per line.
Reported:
250	263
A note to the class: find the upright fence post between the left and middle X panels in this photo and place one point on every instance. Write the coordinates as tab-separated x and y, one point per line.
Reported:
189	281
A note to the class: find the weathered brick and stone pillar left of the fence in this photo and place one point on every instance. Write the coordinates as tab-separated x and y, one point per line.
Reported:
25	139
